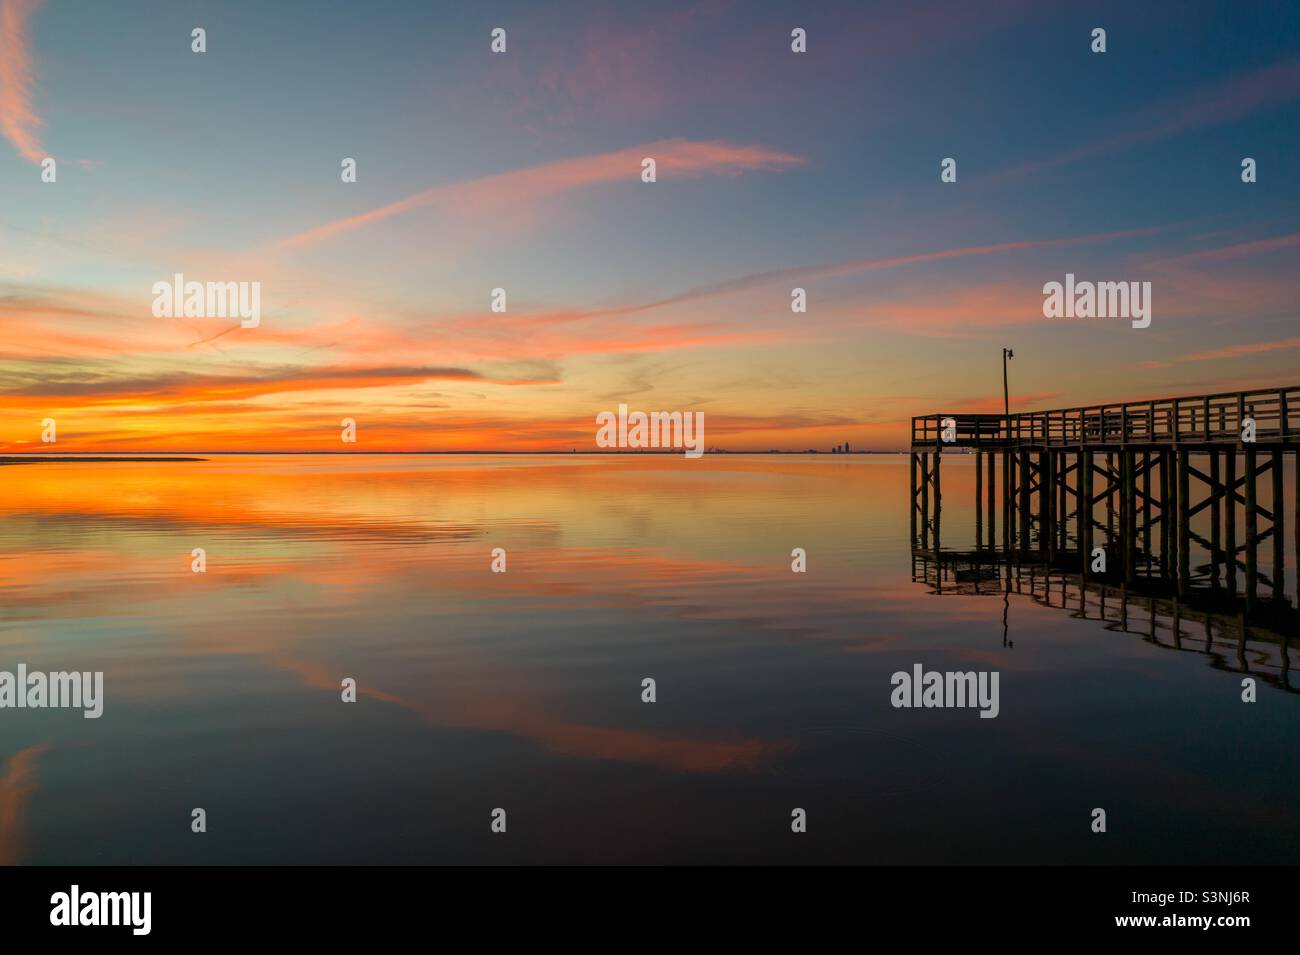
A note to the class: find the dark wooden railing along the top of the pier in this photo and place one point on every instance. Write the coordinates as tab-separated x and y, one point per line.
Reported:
1168	423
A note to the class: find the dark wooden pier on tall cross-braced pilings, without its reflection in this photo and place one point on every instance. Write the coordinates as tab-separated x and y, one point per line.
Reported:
1184	490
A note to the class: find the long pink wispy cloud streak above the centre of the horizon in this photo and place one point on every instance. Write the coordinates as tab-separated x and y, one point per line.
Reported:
522	189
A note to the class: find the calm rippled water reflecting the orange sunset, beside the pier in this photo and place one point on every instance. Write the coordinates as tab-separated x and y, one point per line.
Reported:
523	691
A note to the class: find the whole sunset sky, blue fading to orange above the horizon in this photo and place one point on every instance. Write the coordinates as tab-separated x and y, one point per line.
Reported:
523	171
